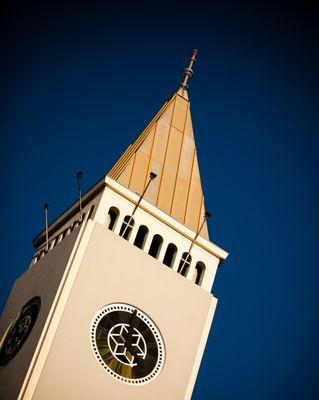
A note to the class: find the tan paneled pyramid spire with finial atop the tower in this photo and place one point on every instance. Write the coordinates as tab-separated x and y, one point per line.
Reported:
167	148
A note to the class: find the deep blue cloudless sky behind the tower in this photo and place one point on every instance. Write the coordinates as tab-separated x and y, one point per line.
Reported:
80	81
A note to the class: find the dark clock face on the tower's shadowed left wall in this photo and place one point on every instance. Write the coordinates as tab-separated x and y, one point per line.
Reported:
19	330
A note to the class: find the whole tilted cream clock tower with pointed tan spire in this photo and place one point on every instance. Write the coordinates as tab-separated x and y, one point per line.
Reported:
116	303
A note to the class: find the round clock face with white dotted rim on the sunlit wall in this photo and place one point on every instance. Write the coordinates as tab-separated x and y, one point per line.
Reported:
127	343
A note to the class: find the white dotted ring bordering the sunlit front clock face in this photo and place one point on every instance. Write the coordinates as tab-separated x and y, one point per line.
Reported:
159	340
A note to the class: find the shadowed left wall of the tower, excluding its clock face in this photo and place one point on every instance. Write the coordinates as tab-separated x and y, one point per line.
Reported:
42	280
